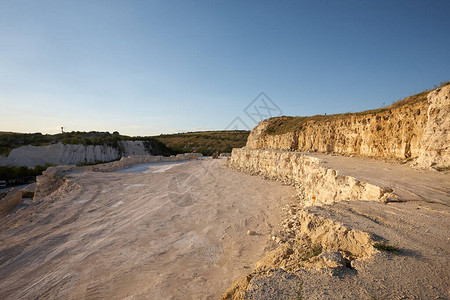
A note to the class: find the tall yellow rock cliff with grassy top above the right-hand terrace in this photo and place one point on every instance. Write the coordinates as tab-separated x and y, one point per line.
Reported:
417	127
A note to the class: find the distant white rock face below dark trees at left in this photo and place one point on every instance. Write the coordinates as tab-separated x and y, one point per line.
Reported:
61	154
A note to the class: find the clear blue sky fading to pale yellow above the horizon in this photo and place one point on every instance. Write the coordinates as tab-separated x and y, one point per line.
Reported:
151	67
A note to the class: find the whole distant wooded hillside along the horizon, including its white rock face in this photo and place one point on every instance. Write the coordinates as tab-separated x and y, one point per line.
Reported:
96	147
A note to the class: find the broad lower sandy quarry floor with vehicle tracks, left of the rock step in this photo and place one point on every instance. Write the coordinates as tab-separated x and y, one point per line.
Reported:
178	231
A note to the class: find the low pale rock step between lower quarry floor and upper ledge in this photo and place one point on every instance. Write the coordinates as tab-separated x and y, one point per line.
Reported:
317	184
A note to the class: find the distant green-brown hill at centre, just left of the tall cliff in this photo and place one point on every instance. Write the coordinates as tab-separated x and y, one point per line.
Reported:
205	142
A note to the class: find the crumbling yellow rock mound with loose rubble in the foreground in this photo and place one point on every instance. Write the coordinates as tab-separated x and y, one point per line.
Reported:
306	241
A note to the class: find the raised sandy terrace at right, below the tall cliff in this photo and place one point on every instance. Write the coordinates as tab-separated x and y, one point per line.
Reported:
418	227
